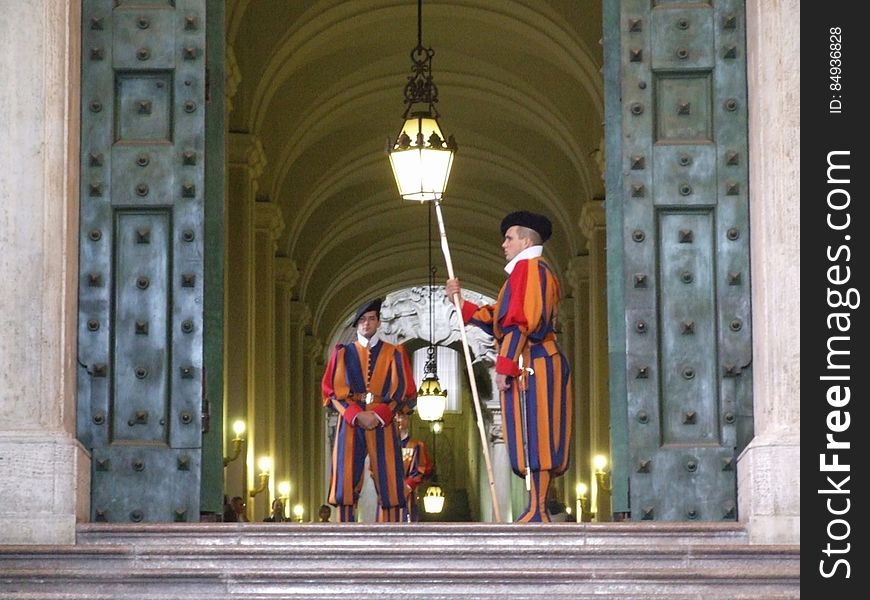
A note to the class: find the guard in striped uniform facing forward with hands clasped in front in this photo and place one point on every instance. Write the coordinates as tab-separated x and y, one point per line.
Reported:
368	382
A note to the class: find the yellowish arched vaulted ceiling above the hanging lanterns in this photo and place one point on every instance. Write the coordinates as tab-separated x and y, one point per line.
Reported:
320	84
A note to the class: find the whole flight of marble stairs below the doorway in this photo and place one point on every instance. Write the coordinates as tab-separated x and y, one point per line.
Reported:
705	561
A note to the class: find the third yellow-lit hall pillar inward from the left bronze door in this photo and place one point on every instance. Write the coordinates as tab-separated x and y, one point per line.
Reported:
286	276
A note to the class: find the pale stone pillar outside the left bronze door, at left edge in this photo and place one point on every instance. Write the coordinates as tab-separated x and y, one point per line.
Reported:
44	472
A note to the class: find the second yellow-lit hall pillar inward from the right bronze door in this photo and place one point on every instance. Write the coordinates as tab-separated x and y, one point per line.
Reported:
577	279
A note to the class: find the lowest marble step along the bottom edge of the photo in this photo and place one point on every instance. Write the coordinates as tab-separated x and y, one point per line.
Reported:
394	582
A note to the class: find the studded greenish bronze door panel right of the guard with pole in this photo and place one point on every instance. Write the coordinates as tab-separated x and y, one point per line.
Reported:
686	255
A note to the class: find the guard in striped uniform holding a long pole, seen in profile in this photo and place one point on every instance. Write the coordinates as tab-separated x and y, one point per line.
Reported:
532	372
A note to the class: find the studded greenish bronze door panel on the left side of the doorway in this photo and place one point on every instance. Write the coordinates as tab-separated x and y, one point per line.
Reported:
141	259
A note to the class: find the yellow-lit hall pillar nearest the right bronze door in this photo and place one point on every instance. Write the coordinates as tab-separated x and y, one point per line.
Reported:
592	223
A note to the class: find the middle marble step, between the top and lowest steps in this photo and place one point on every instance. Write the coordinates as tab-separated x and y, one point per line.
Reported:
151	557
